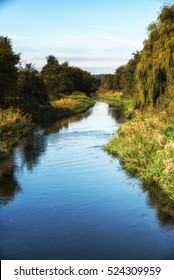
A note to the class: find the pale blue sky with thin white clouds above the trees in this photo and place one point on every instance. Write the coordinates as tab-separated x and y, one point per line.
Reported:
96	35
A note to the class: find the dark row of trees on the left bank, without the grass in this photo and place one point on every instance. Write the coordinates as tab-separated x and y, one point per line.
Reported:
24	86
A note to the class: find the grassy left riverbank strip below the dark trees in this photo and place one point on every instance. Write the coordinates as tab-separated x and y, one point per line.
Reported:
14	124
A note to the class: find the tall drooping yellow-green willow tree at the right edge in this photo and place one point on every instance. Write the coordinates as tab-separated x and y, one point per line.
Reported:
155	71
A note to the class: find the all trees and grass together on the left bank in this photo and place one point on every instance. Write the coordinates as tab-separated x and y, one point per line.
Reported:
28	96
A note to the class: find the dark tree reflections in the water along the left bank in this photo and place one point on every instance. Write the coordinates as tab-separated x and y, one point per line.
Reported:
30	150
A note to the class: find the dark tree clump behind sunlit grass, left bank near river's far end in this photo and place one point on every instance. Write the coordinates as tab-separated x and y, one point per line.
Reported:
61	79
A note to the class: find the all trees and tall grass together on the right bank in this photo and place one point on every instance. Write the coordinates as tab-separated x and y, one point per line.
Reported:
145	144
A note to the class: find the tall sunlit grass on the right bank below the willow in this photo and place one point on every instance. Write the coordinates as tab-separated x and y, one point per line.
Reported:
145	147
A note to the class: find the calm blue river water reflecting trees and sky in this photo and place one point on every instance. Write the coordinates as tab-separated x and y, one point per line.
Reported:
63	197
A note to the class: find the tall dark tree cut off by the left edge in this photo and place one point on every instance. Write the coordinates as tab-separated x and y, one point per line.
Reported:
8	69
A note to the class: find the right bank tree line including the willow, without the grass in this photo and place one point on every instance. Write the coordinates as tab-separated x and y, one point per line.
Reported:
148	77
